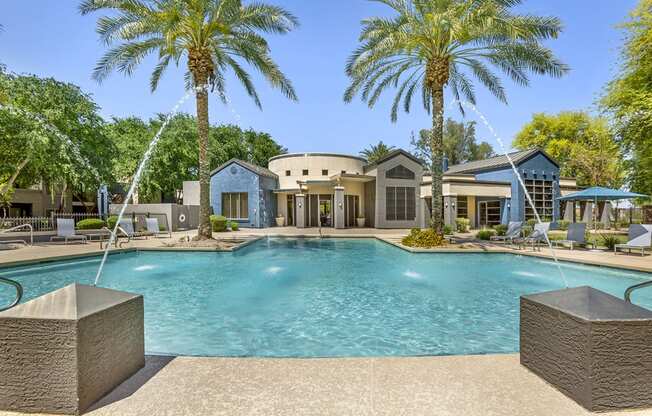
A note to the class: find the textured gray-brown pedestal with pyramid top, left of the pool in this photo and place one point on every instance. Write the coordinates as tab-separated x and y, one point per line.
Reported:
63	351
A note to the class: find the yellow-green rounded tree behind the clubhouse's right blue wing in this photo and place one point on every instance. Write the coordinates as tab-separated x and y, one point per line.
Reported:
584	146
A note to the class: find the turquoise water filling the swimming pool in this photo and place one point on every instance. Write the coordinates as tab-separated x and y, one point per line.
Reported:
326	298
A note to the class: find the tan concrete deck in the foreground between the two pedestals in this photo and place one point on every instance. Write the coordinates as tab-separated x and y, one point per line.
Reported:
485	385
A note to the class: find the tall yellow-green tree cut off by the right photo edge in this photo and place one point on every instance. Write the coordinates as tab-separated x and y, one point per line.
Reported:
628	98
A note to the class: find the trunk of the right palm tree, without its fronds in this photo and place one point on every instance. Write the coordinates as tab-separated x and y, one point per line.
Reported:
437	152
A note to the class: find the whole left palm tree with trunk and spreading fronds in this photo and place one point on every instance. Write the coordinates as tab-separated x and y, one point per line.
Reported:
212	36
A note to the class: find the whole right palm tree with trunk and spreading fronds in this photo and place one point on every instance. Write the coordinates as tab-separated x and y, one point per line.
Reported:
433	44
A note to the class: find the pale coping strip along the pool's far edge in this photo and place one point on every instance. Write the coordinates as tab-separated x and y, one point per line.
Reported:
487	249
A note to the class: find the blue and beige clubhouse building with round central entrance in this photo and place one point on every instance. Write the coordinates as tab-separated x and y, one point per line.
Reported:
344	191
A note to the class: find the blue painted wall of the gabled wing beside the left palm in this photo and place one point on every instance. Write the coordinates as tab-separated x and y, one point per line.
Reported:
262	201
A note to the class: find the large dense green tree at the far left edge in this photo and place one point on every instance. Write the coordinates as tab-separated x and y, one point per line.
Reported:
51	133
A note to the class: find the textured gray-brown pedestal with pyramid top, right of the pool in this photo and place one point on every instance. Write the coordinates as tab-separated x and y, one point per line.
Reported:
594	347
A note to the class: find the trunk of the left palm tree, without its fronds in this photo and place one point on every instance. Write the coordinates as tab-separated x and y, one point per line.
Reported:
204	231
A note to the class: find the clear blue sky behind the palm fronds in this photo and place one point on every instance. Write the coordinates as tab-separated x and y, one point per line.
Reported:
50	38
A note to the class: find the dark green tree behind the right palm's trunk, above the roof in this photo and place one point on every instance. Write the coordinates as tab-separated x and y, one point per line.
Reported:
459	143
